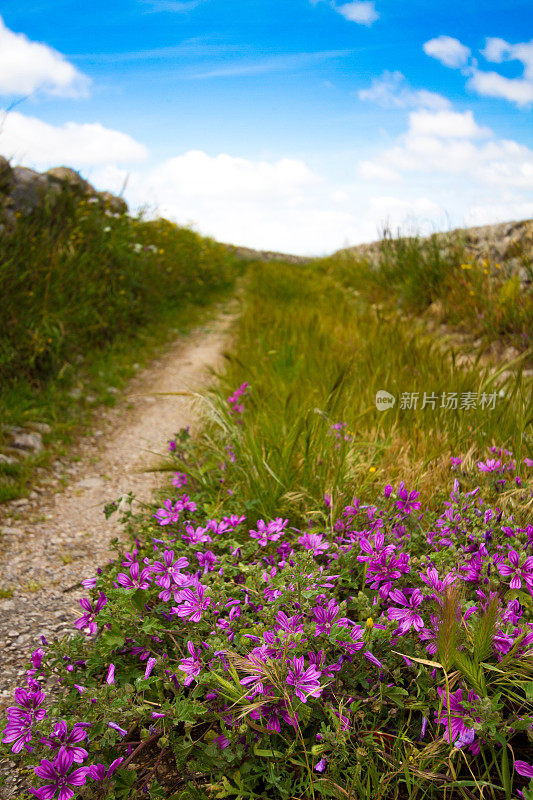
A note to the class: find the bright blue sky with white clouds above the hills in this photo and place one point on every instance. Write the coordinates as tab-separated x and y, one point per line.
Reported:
302	125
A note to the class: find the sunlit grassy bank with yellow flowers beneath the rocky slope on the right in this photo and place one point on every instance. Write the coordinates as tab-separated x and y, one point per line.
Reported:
481	297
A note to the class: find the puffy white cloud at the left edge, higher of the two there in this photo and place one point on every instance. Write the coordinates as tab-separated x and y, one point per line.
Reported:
27	67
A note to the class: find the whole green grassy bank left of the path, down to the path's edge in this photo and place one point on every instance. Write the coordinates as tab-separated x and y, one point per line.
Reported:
84	295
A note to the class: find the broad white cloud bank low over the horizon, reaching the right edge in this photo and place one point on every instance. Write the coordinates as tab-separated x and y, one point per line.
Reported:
446	168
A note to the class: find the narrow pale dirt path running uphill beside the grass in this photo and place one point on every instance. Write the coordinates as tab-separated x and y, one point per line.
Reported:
61	538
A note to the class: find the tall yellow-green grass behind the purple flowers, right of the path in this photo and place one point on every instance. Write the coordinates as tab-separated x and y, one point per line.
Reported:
315	355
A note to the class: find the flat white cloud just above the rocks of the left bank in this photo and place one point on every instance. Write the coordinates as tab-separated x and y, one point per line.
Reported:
36	143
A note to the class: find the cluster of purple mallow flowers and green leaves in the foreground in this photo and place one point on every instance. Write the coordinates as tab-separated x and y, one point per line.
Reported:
222	645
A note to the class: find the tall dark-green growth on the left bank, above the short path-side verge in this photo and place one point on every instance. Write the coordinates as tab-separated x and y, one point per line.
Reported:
74	277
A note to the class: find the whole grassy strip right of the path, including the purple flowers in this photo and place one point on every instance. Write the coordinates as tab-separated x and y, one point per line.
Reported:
332	599
